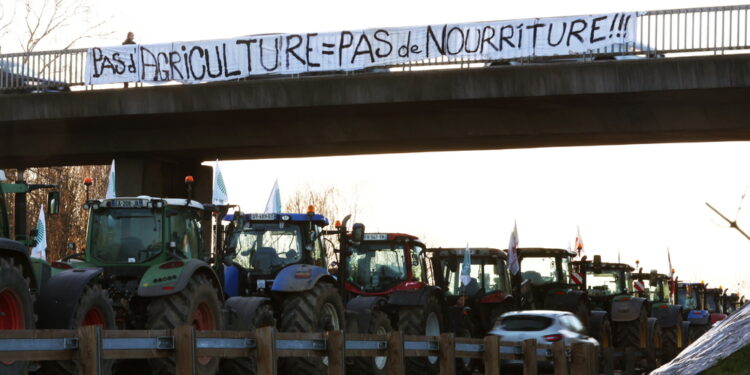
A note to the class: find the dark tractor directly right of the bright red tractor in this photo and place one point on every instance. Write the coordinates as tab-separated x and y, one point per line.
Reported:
485	297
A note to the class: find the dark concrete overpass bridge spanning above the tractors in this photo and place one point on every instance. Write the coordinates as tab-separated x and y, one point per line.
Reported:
160	133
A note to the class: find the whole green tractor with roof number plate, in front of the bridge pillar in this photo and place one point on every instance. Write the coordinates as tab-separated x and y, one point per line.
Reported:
149	254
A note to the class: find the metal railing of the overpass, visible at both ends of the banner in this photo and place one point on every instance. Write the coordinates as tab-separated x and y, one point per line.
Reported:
712	30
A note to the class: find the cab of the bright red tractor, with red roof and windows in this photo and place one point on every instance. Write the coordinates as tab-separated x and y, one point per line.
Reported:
384	262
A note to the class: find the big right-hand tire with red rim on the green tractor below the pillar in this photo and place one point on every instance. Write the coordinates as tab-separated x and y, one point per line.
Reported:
198	304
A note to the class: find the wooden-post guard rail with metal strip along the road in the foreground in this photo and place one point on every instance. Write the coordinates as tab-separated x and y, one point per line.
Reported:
91	345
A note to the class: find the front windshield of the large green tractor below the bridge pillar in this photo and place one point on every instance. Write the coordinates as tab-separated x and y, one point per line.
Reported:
126	235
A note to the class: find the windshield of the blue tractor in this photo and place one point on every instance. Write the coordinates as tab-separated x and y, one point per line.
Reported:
265	248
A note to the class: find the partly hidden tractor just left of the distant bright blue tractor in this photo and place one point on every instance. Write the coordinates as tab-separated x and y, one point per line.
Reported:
655	287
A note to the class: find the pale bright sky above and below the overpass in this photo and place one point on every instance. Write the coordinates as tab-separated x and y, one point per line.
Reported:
635	200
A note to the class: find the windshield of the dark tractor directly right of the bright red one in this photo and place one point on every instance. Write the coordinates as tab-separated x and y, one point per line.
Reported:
483	275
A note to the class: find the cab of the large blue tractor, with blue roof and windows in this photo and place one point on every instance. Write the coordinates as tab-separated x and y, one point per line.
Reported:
260	246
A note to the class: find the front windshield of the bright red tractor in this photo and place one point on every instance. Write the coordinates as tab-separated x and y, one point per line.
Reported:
377	266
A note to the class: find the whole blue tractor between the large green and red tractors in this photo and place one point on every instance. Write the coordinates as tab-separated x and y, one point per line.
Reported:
275	274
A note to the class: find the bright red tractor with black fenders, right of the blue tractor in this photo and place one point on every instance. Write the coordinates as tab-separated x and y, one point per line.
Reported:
387	288
